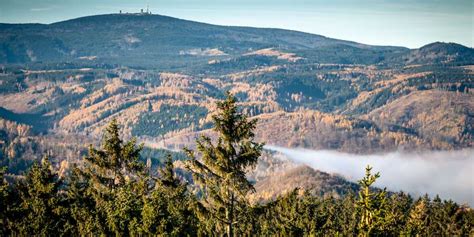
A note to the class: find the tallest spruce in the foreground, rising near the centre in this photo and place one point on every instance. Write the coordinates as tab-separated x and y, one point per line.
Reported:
220	166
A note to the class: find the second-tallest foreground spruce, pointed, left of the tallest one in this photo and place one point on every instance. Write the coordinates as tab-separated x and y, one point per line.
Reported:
110	173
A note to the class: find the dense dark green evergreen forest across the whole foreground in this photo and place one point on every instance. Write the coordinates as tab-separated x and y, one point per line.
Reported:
114	193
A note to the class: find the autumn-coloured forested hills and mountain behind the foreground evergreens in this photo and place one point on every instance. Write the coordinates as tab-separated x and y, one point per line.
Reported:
160	77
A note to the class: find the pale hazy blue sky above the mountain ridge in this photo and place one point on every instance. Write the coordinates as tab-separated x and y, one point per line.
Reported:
409	23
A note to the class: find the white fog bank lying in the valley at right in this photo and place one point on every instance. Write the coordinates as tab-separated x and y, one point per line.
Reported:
447	173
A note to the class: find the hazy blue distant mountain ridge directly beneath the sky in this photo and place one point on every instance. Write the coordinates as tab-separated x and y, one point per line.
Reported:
155	40
